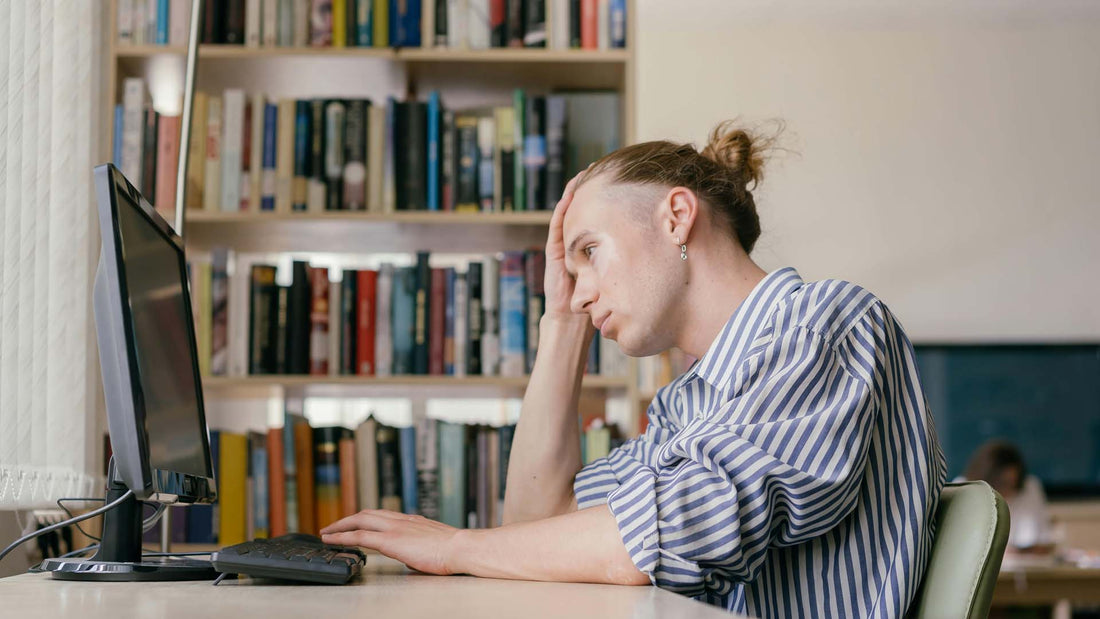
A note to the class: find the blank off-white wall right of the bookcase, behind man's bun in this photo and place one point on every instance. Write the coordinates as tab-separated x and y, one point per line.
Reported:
950	156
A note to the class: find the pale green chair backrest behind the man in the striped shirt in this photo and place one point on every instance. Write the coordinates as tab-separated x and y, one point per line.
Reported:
972	533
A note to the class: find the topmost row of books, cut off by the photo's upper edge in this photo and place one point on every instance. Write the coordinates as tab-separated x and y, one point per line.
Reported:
476	25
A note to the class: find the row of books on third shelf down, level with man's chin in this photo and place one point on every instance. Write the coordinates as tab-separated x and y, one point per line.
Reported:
392	320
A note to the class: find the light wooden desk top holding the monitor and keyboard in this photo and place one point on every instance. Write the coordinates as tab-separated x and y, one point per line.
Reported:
387	590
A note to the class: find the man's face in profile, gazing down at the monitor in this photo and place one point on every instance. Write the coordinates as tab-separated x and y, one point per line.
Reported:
622	268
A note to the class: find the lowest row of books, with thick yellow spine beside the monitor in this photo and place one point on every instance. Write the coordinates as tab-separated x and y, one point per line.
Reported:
300	479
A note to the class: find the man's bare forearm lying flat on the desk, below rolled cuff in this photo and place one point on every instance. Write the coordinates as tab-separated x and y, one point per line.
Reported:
582	547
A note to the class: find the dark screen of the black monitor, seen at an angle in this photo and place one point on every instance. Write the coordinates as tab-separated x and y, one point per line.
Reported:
156	275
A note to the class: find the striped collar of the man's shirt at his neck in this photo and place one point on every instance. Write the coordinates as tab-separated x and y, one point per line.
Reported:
717	367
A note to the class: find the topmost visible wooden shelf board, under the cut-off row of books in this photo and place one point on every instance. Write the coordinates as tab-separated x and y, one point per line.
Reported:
411	54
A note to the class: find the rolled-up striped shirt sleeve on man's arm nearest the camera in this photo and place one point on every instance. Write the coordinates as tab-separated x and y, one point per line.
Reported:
778	465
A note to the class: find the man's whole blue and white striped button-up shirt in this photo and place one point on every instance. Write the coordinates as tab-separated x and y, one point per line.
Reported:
794	471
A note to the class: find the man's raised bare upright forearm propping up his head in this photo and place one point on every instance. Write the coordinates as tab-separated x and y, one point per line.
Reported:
546	450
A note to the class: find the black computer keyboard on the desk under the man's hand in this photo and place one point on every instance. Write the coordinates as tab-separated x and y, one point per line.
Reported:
294	557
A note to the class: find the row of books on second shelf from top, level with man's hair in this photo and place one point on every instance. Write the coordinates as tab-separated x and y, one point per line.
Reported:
254	153
